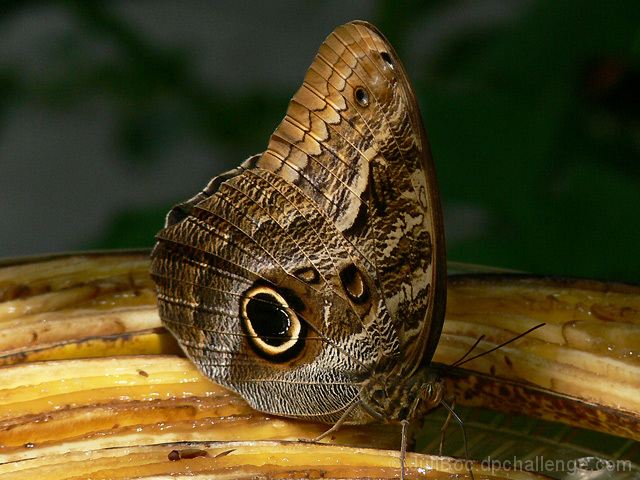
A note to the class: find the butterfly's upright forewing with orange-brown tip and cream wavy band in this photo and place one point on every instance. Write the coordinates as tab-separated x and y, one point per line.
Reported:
353	140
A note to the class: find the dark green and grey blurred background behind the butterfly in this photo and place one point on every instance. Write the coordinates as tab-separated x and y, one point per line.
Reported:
112	112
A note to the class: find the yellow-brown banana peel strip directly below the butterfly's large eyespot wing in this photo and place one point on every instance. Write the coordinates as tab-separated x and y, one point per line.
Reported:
80	404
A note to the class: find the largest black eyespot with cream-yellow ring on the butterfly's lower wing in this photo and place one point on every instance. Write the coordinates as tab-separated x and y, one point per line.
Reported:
273	329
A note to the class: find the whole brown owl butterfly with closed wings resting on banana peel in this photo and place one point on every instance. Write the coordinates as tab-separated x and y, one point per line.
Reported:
311	279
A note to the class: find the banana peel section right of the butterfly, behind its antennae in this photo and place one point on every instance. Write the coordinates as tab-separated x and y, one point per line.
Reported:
582	368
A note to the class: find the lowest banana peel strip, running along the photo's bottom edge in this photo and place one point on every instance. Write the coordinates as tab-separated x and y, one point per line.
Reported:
247	460
